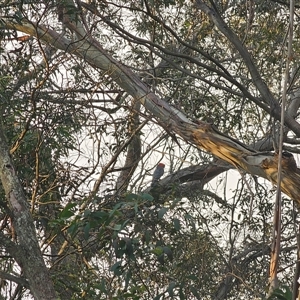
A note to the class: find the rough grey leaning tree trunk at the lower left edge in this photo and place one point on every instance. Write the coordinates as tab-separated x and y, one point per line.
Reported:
29	255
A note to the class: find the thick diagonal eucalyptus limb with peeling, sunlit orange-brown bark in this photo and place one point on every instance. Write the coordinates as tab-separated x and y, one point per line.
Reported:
201	134
